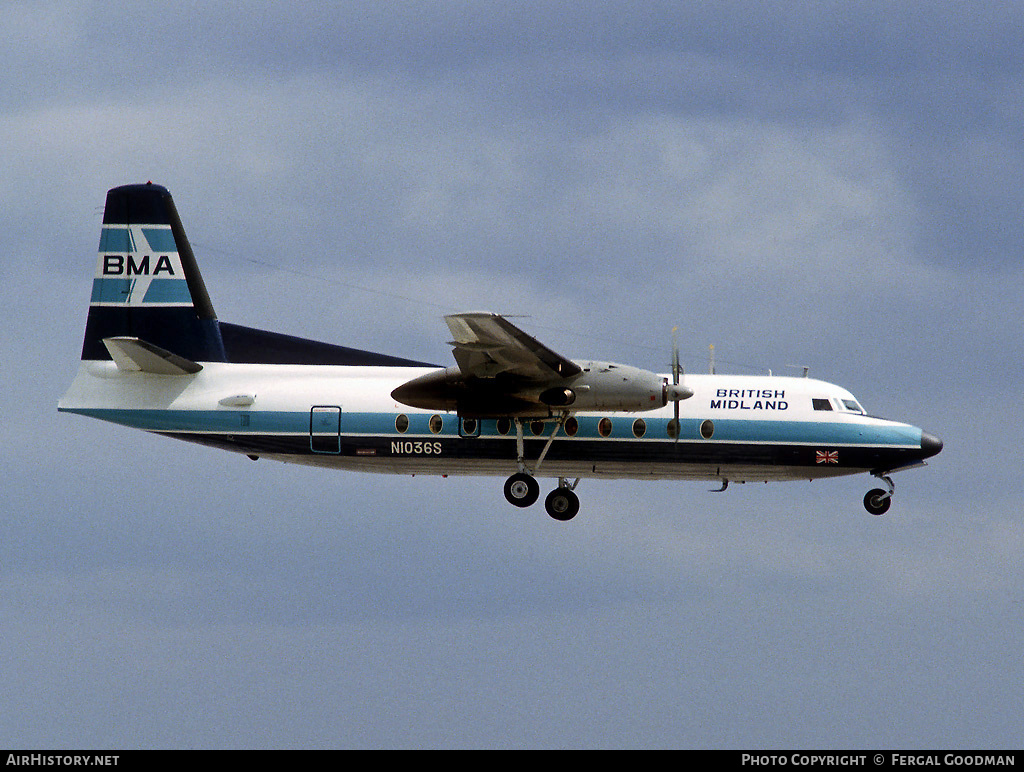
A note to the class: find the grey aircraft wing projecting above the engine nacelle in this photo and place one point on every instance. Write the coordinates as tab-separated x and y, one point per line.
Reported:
487	346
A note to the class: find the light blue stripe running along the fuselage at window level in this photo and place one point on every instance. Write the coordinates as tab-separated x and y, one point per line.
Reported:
382	425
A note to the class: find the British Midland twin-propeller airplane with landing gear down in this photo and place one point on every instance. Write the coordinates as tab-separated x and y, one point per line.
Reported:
156	358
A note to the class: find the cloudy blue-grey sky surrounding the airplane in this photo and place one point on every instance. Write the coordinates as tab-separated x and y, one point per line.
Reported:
824	185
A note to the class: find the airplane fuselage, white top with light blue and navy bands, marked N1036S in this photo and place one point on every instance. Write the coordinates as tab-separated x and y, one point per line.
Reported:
736	428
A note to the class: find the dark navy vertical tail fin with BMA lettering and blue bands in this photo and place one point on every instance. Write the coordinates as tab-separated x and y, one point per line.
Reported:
148	286
